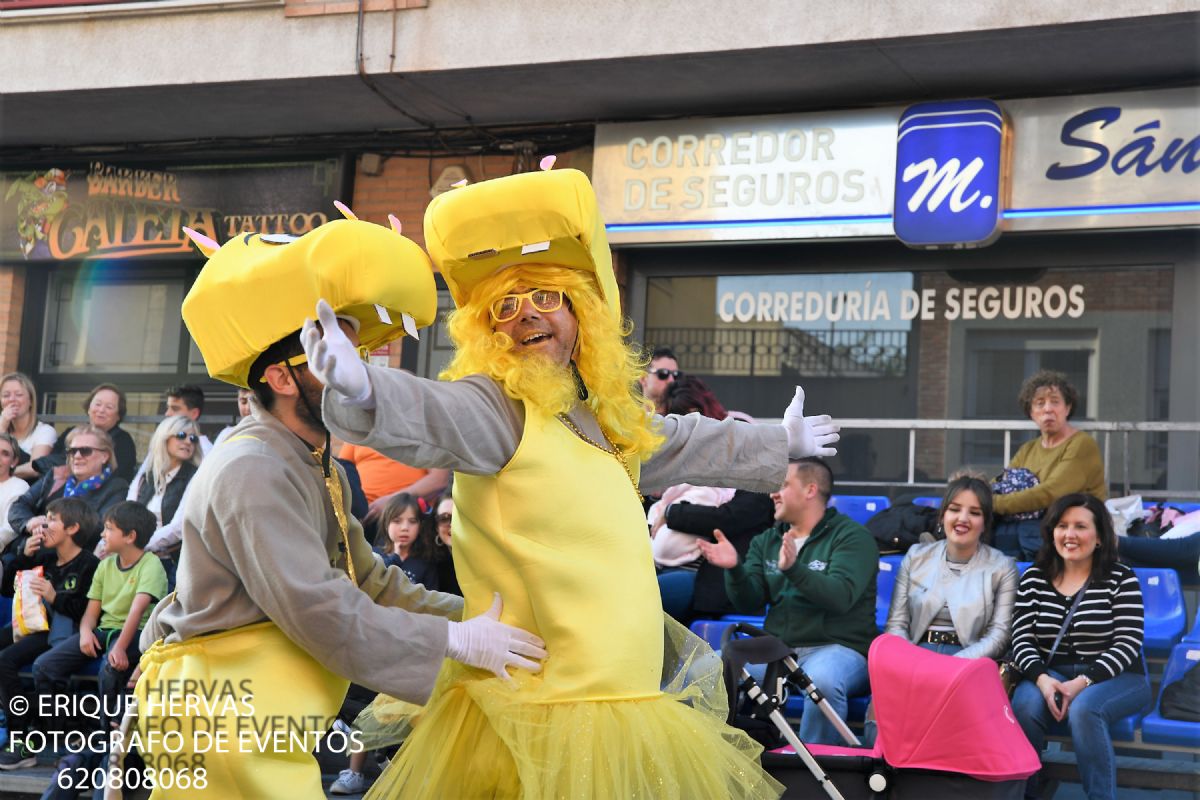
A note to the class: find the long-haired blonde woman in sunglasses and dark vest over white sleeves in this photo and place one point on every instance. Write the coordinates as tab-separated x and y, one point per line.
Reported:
175	458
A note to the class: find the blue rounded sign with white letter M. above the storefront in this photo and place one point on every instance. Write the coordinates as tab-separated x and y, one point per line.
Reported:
950	172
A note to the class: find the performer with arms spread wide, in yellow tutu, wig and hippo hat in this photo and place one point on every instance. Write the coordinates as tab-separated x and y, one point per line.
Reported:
551	443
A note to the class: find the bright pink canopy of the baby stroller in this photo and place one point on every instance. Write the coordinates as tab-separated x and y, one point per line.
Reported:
949	714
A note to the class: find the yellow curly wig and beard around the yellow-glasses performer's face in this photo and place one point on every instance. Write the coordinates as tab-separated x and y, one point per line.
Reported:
610	368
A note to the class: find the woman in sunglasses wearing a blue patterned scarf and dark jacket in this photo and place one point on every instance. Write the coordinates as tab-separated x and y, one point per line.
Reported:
89	474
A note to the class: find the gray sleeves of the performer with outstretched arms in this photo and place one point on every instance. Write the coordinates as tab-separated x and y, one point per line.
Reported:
473	428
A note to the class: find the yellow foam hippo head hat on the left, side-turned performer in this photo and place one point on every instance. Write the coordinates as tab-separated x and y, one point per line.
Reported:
256	290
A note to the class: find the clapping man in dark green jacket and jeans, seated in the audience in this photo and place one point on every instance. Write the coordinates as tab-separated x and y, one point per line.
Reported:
817	570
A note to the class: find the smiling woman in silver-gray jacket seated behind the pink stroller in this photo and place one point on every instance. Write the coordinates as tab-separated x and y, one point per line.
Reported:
956	597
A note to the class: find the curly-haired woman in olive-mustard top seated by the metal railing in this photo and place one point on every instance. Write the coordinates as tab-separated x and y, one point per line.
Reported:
1065	460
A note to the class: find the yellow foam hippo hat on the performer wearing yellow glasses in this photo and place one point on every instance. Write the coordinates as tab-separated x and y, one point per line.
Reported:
544	218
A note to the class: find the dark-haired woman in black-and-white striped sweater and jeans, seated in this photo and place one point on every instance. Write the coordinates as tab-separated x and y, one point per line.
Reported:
1095	676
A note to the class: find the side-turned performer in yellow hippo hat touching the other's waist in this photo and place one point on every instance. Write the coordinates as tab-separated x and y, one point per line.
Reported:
280	598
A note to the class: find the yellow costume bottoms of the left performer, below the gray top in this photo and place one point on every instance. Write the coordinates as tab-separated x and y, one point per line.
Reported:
235	715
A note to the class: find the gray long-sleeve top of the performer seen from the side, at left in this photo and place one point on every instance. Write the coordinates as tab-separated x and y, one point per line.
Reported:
261	542
